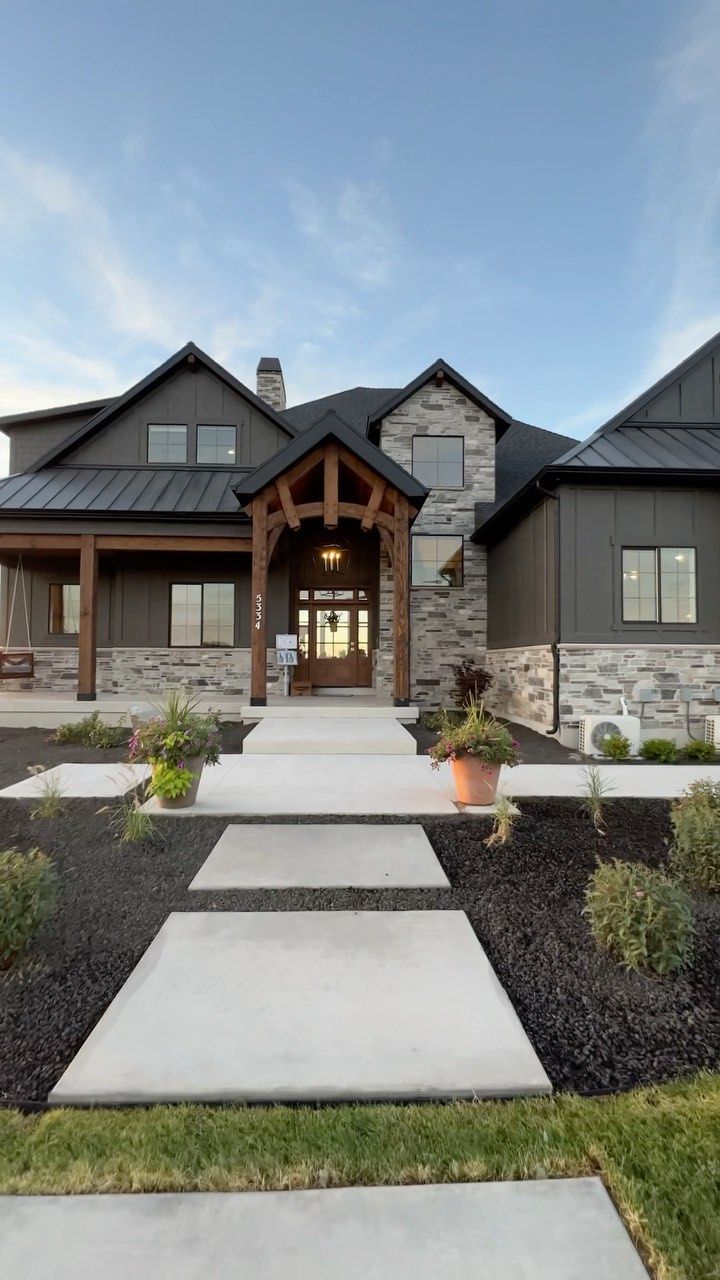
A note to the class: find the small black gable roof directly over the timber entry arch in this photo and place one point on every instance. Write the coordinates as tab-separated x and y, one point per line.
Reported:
331	427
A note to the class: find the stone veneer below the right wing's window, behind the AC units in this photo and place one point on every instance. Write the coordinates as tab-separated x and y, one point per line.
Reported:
594	678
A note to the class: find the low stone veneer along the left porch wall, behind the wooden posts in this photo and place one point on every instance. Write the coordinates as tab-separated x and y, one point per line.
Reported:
149	671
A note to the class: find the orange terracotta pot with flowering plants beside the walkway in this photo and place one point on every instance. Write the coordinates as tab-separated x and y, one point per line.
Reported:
477	747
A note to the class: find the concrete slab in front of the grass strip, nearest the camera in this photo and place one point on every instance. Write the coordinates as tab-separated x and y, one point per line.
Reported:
545	1231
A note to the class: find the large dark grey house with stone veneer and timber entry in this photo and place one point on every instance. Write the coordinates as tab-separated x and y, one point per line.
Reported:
174	533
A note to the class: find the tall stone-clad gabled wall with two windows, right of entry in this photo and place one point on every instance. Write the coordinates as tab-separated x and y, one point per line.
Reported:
446	624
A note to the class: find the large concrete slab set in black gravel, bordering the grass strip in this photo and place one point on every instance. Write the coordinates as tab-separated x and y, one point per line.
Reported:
307	1005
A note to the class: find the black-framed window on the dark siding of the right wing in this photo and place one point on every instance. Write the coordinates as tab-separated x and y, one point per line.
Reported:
659	584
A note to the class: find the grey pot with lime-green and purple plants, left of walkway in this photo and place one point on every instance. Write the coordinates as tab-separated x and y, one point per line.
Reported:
177	744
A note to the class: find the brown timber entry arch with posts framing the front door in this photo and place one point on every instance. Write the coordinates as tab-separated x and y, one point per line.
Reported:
331	484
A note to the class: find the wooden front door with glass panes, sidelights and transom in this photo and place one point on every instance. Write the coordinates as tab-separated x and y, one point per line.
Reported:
334	639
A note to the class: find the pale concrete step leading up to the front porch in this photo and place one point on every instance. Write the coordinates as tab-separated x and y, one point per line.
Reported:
309	735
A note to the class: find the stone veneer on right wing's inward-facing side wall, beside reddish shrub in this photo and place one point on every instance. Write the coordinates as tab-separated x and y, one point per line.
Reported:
522	684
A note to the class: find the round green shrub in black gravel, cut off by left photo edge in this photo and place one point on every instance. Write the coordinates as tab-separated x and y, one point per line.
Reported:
28	898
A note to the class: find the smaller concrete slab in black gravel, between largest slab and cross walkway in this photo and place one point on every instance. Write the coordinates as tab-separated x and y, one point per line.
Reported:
321	856
